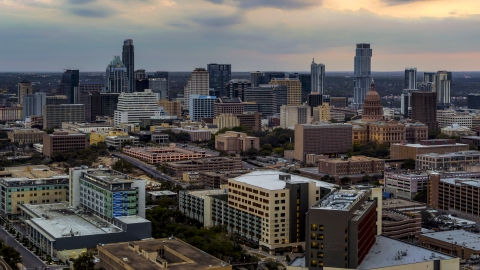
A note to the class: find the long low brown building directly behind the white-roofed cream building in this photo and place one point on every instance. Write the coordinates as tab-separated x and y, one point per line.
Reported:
177	168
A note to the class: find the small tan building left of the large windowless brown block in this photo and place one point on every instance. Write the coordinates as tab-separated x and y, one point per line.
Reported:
236	142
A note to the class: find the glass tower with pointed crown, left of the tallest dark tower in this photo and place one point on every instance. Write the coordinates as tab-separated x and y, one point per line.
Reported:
117	80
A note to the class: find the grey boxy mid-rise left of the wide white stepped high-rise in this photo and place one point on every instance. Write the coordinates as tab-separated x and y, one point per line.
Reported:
54	115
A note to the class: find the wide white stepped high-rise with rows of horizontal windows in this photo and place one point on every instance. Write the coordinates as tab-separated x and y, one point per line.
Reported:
132	107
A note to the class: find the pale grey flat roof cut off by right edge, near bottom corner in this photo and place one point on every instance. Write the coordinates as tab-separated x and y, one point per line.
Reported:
460	237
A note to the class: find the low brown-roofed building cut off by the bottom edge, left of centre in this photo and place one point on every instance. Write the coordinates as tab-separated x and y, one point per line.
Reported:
157	254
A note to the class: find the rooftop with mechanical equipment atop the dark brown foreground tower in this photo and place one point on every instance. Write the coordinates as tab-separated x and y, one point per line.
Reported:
340	200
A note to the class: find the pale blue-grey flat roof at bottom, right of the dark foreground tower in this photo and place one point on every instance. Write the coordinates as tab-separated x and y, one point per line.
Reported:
387	252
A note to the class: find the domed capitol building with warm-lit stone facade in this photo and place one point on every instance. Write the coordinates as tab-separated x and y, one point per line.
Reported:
374	127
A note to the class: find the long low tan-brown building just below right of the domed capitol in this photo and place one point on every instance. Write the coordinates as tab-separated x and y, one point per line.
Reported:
438	146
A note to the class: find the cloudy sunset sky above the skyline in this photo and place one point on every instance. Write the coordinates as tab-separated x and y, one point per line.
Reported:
180	35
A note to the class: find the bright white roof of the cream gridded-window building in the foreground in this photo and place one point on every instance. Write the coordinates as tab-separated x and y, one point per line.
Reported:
269	179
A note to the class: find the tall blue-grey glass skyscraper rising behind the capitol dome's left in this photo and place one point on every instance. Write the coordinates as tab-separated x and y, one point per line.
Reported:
363	73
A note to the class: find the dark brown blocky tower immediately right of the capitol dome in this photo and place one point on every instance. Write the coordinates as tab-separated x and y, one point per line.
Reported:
424	109
